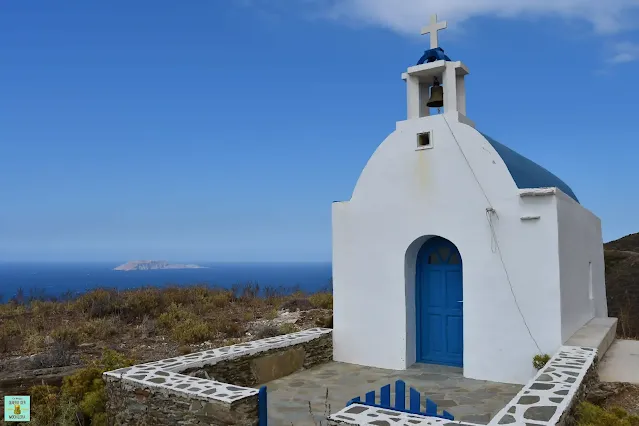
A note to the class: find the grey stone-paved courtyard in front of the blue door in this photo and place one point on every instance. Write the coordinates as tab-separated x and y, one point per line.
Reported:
470	400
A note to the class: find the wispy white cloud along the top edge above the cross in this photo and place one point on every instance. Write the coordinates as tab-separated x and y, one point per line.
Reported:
407	16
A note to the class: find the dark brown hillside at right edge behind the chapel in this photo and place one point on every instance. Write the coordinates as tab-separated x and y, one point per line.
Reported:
622	283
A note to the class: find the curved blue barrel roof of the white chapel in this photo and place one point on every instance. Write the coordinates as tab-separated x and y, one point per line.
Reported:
527	173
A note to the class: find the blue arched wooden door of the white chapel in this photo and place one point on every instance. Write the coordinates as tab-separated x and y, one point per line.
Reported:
439	304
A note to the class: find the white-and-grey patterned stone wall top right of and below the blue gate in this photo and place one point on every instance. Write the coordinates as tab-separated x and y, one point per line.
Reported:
561	376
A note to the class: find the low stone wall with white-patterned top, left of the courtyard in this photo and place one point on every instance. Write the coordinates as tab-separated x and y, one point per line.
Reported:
210	387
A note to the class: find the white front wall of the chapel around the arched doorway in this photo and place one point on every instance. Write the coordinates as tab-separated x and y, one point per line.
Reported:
405	194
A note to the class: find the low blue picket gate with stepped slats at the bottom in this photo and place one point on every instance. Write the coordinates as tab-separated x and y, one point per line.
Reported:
400	401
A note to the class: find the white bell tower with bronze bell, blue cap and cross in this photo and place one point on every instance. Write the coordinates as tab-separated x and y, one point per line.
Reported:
436	81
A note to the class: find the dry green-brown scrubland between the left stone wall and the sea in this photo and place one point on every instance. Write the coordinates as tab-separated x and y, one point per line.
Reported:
144	324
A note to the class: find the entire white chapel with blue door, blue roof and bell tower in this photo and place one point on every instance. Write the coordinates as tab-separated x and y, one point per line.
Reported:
455	249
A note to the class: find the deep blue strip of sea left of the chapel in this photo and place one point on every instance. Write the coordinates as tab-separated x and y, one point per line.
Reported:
56	280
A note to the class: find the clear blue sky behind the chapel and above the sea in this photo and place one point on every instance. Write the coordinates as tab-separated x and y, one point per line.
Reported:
223	130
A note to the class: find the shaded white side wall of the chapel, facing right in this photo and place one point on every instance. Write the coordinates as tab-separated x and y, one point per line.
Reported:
580	243
